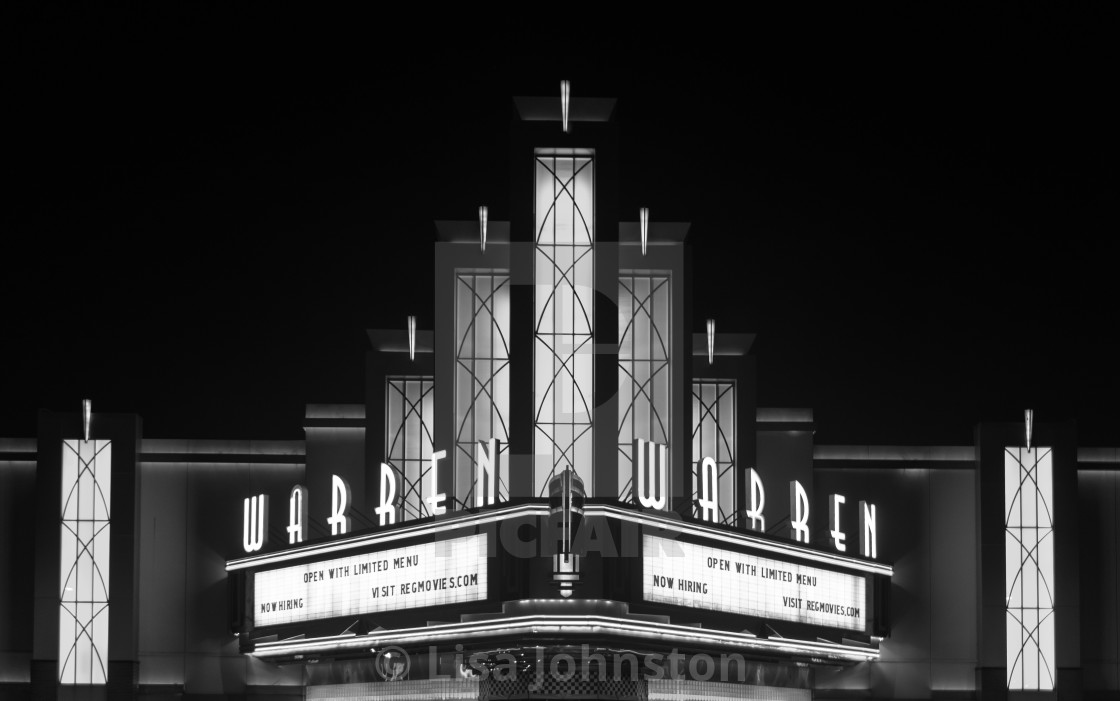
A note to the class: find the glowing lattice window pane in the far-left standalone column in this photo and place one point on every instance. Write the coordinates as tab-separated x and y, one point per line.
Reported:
83	602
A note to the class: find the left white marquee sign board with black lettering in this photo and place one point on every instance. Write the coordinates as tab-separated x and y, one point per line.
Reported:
450	572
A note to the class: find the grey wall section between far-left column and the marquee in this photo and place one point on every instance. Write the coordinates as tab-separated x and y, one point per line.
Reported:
191	525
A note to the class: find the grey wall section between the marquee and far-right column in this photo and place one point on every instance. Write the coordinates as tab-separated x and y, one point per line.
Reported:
927	526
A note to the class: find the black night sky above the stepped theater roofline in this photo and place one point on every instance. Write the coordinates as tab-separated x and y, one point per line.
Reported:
207	208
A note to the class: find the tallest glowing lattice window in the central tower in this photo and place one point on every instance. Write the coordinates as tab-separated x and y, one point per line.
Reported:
564	361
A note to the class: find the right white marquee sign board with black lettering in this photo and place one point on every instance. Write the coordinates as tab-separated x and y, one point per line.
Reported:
724	581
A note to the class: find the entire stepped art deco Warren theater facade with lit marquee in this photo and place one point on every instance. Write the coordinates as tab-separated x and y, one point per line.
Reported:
558	492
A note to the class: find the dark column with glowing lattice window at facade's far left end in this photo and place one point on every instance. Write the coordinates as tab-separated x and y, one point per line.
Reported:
87	554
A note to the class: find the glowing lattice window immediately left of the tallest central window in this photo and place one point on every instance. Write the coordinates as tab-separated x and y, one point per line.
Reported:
482	377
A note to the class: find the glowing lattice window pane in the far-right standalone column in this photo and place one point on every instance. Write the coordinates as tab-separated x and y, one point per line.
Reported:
1029	499
